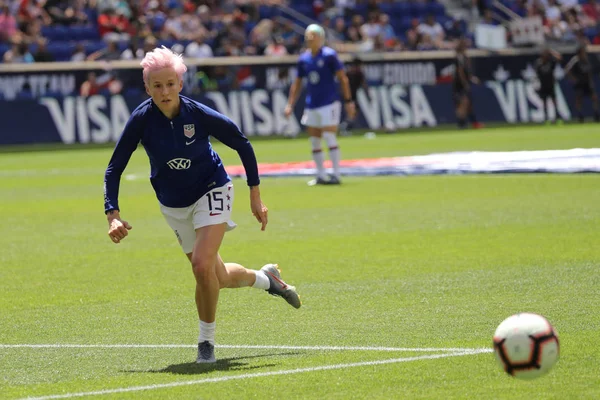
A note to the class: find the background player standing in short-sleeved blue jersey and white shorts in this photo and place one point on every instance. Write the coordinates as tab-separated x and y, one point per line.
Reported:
322	113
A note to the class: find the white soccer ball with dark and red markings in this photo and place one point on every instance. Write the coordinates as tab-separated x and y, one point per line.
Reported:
526	345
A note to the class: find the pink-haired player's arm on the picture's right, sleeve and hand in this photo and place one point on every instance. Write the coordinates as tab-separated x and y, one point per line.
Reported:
230	135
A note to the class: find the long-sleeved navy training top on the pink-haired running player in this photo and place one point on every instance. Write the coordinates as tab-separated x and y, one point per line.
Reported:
183	164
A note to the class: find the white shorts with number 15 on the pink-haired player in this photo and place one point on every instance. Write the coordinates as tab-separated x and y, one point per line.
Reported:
213	208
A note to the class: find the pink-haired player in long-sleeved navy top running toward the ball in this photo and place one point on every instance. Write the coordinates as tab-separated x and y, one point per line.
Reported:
194	191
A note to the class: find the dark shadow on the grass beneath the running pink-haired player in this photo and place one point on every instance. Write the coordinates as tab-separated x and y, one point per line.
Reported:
222	364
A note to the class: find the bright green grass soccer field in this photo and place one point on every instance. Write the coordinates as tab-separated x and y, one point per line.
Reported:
415	263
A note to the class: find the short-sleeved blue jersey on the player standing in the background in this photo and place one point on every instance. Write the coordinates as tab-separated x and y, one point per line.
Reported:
320	70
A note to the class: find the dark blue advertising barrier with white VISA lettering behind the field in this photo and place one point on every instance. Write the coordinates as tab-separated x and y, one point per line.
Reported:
45	107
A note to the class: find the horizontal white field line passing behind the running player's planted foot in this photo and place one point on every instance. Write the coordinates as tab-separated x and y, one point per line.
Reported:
235	346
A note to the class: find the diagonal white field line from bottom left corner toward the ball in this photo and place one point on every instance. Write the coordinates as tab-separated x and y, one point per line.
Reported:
256	375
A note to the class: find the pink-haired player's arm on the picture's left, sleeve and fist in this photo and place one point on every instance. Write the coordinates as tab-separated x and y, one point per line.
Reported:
118	228
